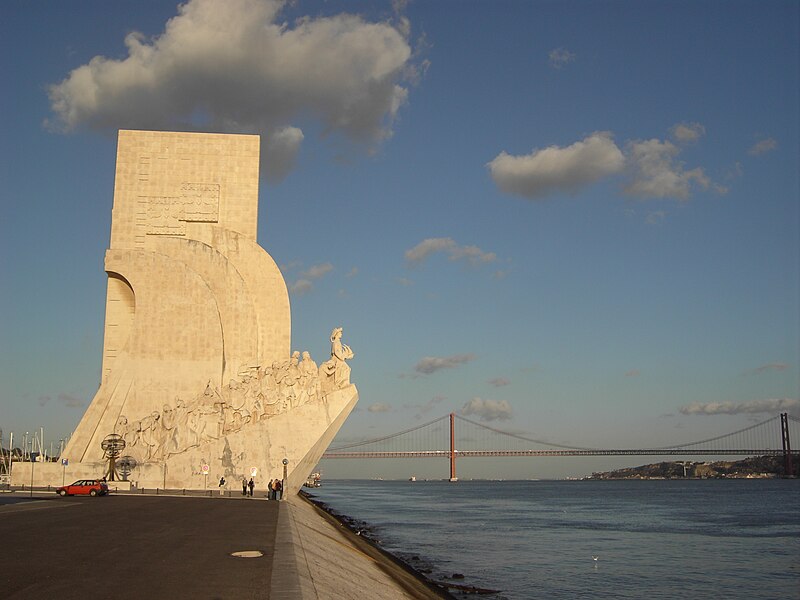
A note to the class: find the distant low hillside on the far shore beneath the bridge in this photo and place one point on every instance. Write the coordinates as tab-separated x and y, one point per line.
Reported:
754	467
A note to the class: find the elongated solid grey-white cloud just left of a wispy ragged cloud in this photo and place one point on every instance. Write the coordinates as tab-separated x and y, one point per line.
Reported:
557	169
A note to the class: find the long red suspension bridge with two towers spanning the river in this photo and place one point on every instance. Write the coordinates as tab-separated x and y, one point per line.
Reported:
453	436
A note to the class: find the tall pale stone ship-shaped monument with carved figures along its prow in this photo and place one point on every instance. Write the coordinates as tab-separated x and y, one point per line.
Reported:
198	376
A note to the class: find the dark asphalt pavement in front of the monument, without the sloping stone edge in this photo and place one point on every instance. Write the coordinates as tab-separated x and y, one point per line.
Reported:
135	547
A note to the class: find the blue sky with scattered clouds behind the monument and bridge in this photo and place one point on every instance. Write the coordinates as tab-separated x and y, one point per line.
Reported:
574	220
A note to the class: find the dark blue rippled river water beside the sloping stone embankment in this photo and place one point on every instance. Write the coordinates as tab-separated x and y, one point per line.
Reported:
731	539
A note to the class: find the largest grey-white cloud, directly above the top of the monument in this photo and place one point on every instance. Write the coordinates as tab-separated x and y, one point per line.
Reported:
234	66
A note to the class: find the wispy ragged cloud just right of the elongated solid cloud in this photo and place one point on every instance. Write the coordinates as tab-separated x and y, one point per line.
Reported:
655	172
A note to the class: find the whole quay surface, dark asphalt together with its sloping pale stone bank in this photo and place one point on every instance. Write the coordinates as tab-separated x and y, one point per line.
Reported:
138	546
